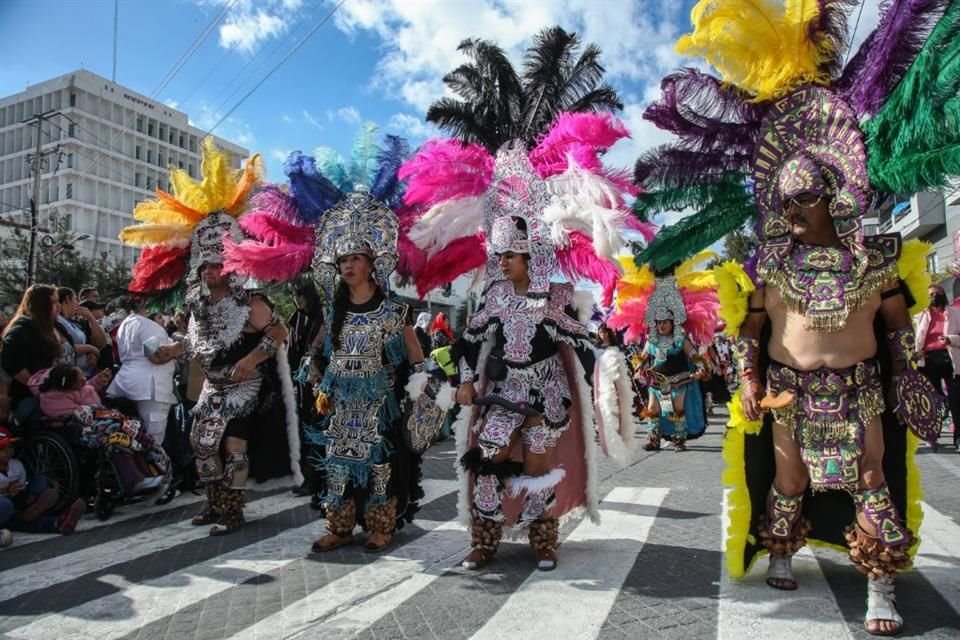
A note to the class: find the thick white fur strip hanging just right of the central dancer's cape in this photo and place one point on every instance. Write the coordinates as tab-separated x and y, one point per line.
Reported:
614	396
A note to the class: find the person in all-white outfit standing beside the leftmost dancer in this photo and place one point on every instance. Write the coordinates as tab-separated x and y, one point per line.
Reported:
144	377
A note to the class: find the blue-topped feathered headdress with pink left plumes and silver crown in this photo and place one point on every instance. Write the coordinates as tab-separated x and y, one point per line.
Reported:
331	208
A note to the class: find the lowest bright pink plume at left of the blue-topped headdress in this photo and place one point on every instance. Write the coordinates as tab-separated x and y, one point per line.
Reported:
272	263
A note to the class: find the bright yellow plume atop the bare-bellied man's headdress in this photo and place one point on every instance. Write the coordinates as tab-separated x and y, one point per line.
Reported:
763	47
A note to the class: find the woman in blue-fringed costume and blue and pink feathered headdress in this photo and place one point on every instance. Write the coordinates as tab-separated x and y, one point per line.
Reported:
368	347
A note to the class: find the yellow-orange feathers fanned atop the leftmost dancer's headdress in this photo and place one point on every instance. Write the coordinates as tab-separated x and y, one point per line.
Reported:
170	218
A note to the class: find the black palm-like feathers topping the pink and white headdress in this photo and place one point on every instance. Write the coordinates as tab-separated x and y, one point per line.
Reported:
499	105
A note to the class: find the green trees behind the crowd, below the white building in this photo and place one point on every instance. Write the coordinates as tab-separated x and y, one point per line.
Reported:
58	263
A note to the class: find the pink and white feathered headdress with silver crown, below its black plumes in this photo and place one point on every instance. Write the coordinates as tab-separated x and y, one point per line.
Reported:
571	206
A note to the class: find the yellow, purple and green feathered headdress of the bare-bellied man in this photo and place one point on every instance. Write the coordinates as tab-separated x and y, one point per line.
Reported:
784	95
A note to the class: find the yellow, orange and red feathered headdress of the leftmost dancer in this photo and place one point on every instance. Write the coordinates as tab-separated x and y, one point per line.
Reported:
182	231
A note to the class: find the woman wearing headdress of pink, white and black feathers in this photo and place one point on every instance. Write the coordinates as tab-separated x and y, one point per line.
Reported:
521	196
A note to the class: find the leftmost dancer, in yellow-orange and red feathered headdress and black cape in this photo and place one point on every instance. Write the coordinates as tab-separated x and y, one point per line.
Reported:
247	396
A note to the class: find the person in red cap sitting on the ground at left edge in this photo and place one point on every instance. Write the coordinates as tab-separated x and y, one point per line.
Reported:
24	501
